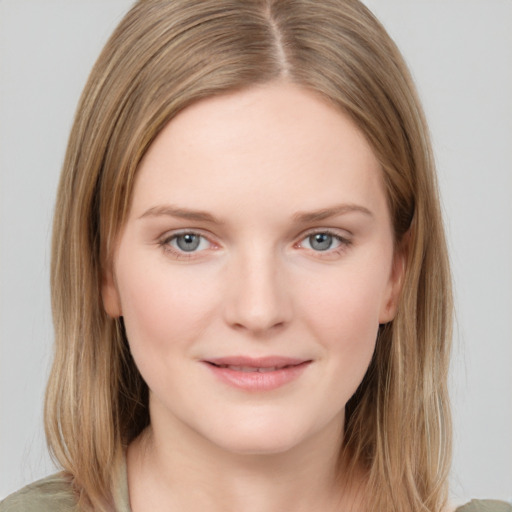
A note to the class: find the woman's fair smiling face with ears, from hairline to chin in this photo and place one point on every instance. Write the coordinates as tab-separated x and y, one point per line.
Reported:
254	269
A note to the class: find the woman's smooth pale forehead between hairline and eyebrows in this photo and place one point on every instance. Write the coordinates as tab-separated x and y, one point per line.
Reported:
274	145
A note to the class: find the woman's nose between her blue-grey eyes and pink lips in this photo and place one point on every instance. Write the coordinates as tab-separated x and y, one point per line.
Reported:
259	298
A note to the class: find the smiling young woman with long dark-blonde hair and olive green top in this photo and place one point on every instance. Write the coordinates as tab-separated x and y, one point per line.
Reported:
250	282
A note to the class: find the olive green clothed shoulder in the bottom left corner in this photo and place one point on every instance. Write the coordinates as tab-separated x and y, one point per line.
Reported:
51	494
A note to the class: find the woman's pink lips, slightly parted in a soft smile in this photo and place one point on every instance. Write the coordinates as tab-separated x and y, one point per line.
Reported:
257	374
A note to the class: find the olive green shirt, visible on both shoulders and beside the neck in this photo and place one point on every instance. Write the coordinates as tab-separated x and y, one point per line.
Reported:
54	494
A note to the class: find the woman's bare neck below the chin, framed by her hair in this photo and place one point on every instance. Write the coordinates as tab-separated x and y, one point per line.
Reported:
197	475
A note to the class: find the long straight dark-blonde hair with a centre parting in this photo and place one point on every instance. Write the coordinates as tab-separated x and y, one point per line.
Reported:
164	56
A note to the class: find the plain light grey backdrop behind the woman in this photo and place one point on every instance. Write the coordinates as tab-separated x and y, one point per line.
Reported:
460	53
